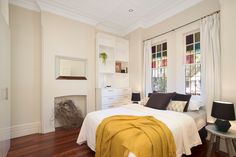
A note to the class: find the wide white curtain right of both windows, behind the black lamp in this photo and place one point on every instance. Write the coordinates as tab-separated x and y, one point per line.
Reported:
211	65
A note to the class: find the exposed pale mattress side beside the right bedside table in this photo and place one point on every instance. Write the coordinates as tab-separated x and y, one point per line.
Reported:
199	118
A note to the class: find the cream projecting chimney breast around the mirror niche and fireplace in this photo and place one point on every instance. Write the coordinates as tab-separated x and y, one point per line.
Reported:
65	37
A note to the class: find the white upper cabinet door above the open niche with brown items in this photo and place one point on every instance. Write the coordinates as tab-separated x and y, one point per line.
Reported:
122	50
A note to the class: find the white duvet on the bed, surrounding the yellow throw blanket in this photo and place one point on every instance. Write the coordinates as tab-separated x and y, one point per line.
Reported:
181	125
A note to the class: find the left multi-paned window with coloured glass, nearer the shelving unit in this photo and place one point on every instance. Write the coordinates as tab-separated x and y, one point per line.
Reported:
159	66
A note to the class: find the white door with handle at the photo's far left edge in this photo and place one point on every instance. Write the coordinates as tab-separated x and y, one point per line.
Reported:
4	87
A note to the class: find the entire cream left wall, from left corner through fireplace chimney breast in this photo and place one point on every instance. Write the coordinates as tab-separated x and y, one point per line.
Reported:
37	38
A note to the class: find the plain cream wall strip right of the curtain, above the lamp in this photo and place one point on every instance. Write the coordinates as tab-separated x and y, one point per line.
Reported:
228	40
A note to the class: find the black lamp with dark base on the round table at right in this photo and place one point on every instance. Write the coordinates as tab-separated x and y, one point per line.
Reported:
223	111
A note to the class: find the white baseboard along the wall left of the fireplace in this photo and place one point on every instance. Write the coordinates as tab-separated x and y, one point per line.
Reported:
25	129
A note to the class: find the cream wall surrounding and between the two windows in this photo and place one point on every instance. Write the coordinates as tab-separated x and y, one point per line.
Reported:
174	55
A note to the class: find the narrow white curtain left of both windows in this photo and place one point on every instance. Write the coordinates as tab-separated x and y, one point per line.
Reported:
147	67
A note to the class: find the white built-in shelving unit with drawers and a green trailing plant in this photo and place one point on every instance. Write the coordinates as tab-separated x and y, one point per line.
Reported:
112	73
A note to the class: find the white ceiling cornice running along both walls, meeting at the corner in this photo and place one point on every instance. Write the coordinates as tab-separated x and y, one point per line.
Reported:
37	5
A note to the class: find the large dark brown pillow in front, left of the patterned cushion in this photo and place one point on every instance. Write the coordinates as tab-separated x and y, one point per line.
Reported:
160	100
